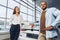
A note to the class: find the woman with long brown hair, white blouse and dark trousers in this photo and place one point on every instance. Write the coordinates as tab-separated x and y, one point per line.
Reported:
15	21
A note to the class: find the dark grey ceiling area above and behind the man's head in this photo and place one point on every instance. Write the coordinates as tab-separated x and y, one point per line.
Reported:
51	3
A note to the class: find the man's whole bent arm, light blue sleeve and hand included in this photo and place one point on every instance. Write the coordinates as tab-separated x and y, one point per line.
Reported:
57	20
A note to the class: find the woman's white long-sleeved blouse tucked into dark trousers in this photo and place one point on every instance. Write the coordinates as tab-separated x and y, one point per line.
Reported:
16	20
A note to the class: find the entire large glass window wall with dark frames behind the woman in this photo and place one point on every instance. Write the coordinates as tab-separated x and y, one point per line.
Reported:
24	9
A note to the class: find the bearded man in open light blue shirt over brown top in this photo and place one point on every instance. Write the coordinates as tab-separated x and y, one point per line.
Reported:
50	17
